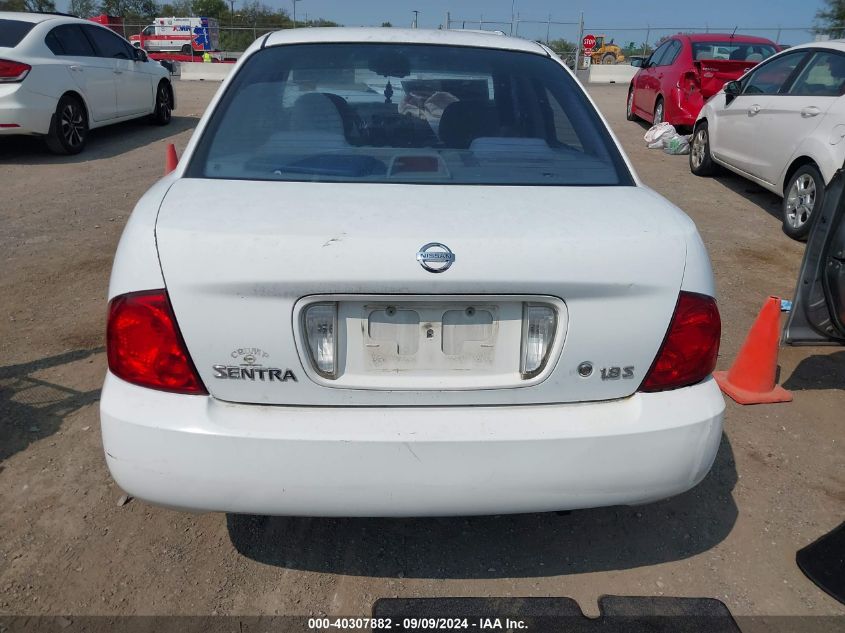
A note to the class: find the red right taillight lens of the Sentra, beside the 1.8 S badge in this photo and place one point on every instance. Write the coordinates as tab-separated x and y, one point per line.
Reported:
689	351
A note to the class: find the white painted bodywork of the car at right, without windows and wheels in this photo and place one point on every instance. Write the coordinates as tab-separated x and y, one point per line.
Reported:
761	136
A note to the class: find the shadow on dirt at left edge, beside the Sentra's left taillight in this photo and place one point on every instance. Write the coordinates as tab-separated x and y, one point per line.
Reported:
32	409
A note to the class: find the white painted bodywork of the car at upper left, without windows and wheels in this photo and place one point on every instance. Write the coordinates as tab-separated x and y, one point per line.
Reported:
113	90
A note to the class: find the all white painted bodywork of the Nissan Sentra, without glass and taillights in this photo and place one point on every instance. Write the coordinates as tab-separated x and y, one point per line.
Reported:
239	257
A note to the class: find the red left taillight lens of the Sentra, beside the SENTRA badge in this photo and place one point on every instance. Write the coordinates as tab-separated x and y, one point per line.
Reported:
144	345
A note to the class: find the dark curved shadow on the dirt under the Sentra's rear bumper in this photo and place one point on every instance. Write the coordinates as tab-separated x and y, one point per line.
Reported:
527	545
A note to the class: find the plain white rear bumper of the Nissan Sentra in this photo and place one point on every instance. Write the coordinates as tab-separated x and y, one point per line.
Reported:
198	453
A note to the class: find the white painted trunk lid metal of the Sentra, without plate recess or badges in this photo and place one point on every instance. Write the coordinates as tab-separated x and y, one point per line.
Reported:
625	280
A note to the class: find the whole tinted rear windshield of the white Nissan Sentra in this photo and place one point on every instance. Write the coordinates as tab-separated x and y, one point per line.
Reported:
406	113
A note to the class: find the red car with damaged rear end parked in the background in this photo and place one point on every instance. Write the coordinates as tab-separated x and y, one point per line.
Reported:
675	81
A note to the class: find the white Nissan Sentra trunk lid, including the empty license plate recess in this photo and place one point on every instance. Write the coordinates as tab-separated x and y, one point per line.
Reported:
241	259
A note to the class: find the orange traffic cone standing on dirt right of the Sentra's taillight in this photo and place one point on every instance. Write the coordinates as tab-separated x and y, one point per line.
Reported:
751	379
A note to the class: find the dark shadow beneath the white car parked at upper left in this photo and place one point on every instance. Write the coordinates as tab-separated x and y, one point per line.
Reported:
106	142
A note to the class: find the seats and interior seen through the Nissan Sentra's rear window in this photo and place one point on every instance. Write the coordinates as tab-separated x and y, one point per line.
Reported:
420	125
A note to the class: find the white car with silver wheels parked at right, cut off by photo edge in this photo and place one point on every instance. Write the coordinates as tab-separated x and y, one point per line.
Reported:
781	126
